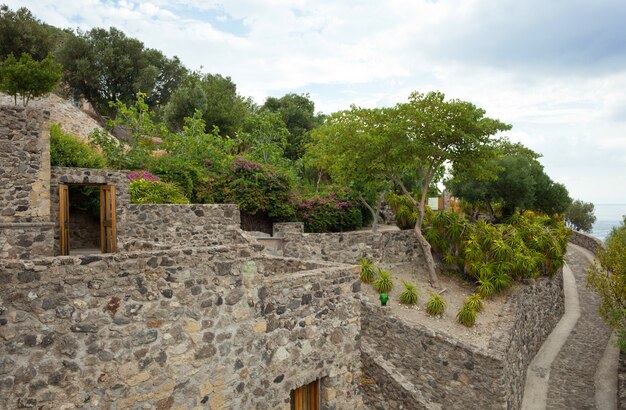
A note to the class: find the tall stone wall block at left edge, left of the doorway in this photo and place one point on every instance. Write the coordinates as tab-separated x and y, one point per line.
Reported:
25	165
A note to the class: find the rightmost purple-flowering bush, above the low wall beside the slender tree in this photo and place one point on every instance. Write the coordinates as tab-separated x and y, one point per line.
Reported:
331	212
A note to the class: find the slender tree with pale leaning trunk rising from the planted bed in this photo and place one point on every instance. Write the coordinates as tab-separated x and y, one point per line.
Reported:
428	132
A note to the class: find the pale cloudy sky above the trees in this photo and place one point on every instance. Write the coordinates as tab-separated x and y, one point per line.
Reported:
555	70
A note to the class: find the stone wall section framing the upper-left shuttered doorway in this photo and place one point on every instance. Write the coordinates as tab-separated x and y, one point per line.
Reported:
86	176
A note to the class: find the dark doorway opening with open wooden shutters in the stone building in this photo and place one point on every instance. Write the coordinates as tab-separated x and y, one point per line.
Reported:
87	219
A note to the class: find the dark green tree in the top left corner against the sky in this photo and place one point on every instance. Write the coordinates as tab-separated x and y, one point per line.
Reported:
21	32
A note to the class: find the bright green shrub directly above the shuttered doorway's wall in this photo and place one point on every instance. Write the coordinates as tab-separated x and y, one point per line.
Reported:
67	150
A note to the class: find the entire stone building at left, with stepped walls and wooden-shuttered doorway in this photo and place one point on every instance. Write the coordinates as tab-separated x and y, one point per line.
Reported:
156	306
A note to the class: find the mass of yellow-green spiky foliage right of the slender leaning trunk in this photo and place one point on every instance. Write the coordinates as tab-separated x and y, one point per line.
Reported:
495	255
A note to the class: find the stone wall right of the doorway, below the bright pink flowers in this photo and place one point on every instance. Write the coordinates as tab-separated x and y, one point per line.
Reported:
186	225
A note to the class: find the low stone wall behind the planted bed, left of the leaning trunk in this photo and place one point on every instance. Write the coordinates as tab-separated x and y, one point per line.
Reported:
390	247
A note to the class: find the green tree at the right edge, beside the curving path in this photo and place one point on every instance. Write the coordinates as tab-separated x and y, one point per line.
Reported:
608	277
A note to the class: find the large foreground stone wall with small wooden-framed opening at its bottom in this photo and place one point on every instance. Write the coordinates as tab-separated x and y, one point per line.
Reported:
184	328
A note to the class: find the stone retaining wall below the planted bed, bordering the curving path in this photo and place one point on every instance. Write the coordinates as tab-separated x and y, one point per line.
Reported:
430	370
